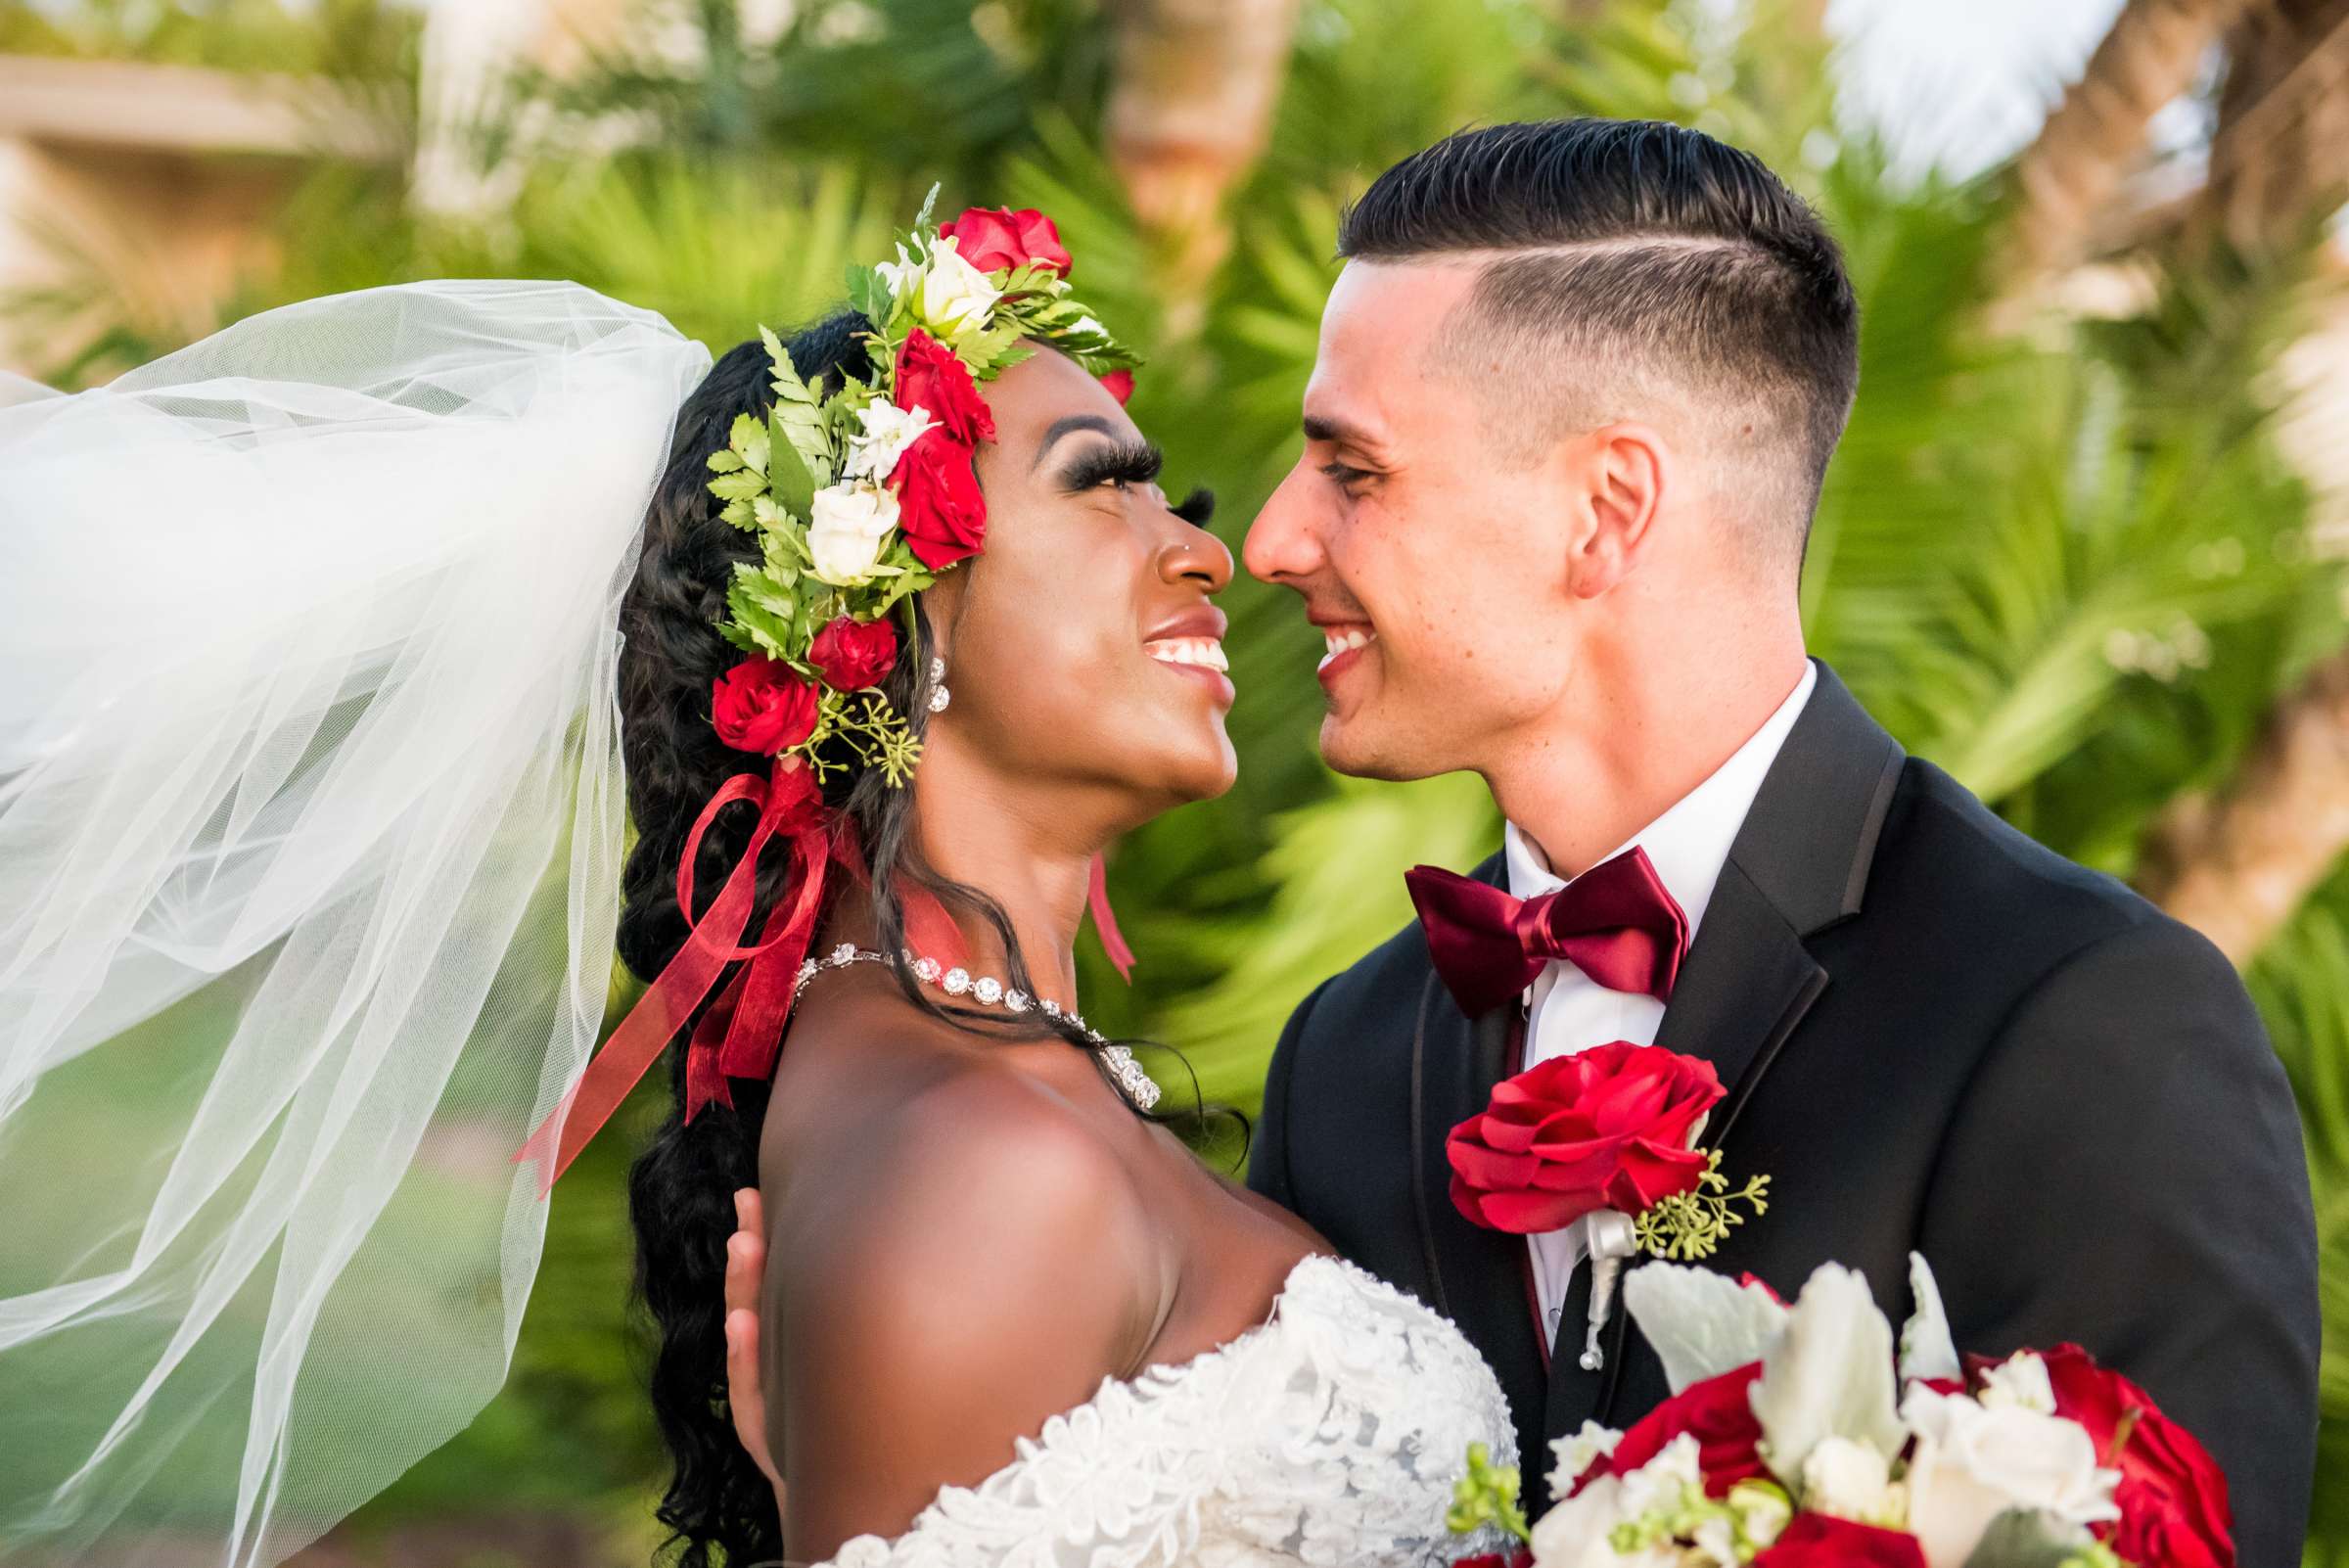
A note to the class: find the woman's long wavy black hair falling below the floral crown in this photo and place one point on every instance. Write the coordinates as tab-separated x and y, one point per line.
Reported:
682	1184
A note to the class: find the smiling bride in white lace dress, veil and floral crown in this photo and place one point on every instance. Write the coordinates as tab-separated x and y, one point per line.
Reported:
330	649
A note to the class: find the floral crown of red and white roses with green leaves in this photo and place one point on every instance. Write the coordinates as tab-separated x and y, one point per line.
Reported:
868	496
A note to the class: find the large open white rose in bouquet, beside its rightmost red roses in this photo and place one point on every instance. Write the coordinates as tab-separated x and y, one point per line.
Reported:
1977	1464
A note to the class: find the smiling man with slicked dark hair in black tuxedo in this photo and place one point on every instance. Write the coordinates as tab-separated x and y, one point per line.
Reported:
1575	396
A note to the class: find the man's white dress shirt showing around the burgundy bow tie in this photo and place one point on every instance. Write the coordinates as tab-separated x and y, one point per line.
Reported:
1566	1008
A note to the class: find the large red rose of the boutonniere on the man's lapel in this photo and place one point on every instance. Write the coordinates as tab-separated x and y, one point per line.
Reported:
1596	1130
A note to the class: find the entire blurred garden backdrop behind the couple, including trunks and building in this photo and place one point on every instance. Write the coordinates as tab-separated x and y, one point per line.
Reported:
2082	543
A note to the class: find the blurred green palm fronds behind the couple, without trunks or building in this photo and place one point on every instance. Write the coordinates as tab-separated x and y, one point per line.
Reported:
2068	565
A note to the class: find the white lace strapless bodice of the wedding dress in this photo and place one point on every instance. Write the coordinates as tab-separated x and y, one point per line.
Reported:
1328	1435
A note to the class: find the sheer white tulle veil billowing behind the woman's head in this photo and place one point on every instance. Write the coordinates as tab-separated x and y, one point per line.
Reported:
309	870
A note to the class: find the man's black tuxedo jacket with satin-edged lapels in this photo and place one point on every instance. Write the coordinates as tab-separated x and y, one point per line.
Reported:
1937	1036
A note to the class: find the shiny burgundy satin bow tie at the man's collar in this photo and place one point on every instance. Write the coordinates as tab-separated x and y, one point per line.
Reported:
1617	924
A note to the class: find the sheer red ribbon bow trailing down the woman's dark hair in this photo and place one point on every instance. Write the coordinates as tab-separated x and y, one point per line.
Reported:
746	1025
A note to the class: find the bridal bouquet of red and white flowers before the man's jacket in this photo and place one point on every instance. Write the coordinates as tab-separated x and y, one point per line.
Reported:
1803	1438
